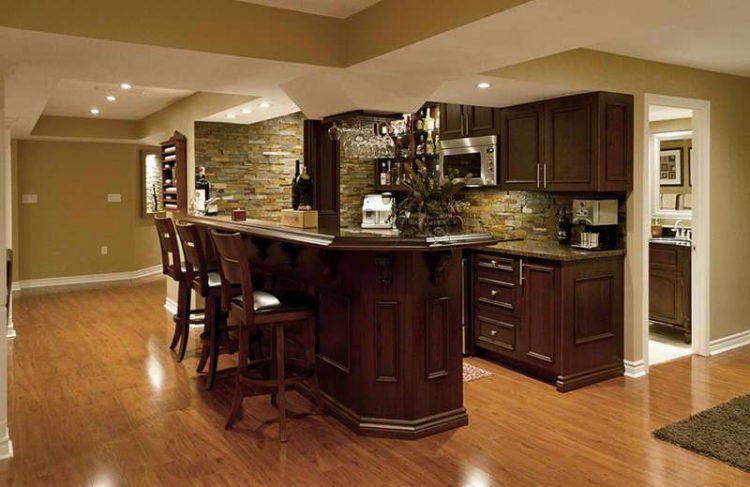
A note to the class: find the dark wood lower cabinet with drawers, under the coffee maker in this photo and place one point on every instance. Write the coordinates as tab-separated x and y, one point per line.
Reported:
559	320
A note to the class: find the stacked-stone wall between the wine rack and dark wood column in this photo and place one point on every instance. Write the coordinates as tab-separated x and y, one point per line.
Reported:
235	164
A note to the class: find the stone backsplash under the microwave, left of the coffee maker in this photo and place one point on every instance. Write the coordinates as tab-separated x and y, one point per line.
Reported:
514	214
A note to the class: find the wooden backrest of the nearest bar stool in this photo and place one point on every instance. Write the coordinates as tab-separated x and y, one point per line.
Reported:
234	268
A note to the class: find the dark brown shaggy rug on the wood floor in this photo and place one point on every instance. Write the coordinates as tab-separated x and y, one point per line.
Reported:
722	432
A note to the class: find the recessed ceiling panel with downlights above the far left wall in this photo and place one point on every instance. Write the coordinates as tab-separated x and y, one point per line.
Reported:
72	98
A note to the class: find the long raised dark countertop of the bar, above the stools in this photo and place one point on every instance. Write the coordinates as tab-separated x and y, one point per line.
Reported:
349	238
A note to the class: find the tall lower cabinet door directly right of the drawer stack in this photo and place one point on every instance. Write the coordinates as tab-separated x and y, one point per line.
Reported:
539	325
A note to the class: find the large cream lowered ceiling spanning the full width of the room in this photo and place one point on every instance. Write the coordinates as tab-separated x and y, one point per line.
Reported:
66	75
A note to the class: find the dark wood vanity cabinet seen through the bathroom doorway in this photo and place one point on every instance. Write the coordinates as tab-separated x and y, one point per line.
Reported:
669	299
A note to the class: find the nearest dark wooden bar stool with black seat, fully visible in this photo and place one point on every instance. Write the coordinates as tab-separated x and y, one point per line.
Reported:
278	311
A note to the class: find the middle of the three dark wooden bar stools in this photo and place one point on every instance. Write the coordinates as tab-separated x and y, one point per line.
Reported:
203	276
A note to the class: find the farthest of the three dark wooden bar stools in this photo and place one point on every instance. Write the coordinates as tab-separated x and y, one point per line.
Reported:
173	267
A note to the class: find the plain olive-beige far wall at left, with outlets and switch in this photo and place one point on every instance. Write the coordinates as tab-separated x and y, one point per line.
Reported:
62	234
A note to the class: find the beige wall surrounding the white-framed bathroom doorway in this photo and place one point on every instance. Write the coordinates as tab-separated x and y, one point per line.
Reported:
730	170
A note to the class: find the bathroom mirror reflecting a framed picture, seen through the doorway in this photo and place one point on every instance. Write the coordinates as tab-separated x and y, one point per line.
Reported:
671	158
